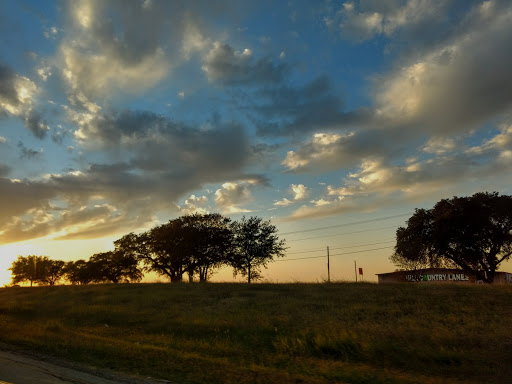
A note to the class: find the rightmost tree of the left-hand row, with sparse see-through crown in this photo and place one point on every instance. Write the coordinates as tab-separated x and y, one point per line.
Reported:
255	244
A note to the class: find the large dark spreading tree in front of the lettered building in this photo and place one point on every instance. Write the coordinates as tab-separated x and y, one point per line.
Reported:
472	233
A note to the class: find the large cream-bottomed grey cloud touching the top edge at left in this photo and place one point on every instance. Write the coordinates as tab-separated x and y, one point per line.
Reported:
127	47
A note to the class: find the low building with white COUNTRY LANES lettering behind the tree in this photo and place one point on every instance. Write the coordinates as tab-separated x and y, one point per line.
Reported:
438	275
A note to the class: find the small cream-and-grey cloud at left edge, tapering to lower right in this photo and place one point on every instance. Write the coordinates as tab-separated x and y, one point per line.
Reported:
17	94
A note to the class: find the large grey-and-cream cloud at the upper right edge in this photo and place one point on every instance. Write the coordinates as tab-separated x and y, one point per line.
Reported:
455	86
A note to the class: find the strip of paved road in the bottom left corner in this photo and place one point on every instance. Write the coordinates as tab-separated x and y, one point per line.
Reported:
16	368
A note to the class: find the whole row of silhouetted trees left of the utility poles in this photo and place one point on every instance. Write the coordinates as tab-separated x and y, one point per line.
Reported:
192	245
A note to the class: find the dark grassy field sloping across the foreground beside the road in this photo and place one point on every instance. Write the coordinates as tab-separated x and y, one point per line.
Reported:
263	333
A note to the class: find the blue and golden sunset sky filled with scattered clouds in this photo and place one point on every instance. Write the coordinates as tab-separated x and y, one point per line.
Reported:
332	119
